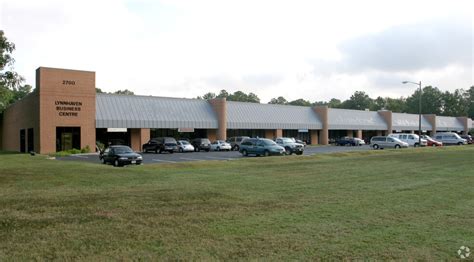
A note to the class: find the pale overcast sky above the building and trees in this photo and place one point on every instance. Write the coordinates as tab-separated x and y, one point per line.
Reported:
315	50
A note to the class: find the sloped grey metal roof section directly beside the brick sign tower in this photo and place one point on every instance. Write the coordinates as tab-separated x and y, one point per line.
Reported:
125	111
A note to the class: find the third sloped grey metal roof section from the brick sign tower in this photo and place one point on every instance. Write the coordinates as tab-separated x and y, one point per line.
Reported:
345	119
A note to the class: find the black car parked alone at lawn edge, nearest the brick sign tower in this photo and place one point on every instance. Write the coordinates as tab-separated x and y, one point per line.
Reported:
120	156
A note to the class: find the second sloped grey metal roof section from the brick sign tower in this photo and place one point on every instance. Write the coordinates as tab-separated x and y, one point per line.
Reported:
241	115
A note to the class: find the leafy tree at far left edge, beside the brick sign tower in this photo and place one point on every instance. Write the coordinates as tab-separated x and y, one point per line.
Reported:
11	88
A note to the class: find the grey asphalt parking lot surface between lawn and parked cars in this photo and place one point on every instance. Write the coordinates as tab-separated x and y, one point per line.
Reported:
152	158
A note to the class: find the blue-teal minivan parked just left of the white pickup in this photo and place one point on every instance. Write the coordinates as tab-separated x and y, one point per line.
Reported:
260	147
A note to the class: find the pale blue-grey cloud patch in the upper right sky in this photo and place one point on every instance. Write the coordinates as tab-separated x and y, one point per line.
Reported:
430	45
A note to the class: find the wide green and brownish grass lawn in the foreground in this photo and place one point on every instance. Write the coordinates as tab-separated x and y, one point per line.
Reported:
404	204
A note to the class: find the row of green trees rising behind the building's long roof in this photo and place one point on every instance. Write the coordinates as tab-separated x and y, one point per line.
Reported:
460	102
